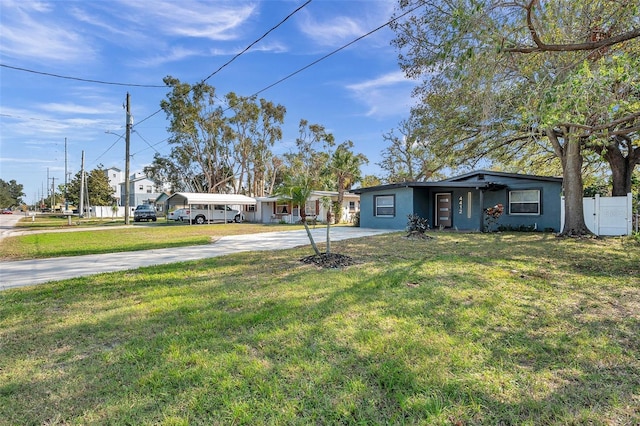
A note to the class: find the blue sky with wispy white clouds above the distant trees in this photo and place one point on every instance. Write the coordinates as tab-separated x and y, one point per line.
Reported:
47	122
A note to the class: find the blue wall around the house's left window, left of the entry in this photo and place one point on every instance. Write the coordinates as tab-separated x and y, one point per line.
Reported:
403	207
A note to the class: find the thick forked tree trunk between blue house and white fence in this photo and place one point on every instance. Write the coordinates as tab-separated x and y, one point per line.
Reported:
571	156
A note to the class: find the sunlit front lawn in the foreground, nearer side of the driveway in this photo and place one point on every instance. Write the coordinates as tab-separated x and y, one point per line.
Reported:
503	329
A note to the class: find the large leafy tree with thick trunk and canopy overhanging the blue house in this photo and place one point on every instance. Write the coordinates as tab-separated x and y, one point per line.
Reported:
503	80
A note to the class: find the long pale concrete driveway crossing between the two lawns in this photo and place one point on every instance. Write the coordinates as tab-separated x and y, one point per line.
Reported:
31	272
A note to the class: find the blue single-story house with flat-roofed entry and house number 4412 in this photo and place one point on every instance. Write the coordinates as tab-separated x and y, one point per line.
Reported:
460	202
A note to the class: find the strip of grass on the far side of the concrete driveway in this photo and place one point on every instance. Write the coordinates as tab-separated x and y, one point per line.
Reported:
98	238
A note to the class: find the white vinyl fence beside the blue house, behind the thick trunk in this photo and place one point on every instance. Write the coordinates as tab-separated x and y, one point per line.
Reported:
606	215
